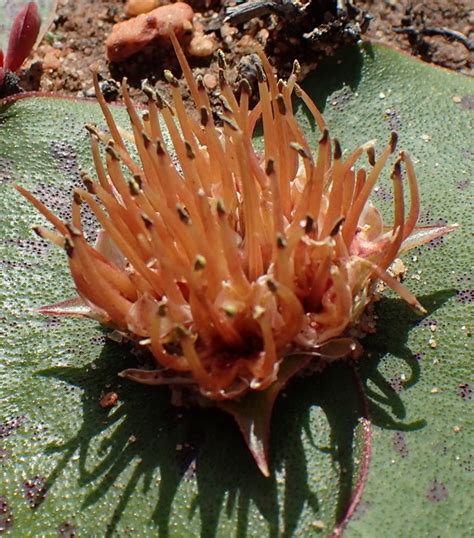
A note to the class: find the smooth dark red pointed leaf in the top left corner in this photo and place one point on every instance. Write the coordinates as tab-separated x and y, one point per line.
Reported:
23	35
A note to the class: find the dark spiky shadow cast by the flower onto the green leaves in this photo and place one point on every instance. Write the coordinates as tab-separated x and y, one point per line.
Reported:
147	443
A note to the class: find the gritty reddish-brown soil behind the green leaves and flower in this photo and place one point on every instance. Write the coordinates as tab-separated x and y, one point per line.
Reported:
76	41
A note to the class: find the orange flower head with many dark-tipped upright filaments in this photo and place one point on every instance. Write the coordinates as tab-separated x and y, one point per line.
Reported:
222	260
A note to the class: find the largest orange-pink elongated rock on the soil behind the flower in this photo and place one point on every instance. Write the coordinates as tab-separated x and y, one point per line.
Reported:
131	36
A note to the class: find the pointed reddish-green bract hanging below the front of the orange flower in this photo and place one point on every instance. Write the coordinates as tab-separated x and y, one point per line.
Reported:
253	412
